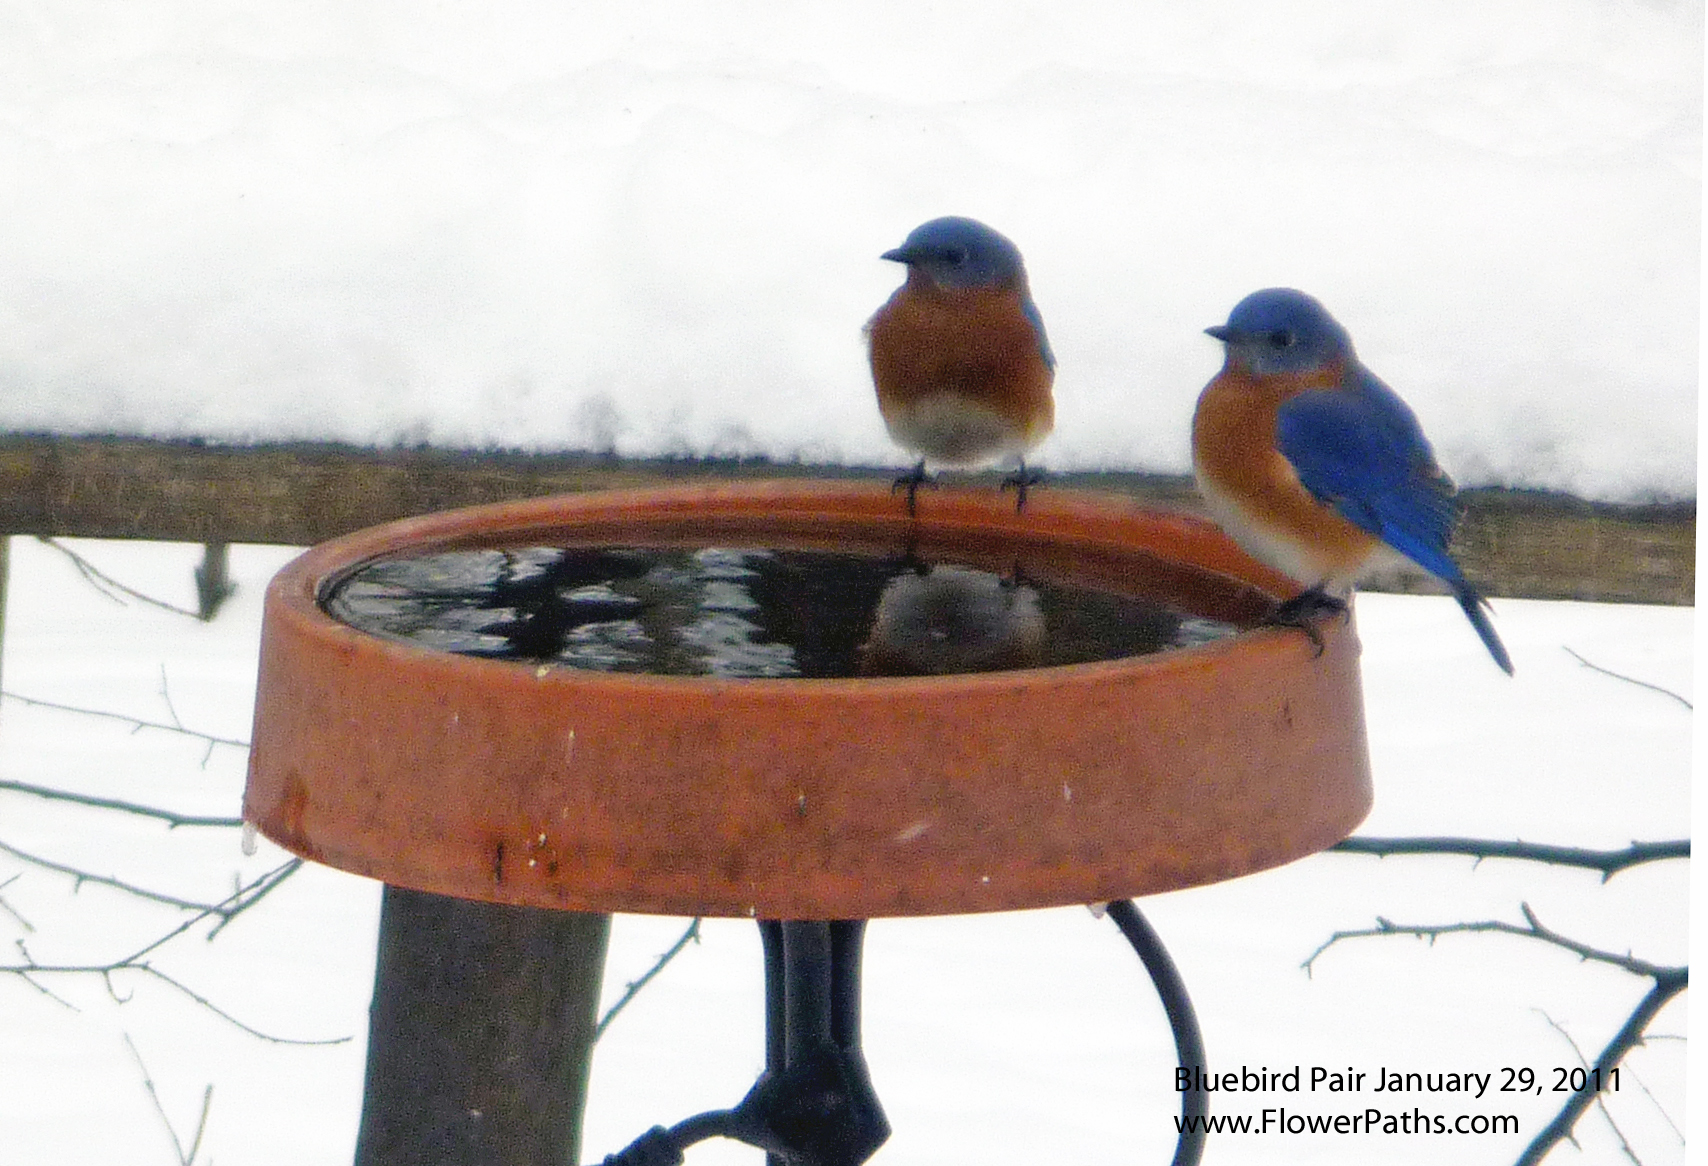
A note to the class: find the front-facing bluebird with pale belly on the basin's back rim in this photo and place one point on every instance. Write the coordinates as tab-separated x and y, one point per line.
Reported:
959	354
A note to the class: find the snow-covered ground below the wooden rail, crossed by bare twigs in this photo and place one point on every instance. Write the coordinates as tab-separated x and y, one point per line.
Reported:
1007	1039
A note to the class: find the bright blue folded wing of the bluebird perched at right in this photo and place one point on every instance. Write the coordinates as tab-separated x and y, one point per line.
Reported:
1359	450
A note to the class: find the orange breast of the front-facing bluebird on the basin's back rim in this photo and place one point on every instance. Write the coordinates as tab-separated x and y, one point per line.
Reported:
978	346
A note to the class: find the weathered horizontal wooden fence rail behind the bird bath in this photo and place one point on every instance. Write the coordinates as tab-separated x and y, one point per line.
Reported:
1512	542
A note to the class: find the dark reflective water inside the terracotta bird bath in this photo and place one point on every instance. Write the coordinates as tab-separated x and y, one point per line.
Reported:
751	612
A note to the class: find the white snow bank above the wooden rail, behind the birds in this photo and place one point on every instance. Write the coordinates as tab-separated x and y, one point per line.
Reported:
657	226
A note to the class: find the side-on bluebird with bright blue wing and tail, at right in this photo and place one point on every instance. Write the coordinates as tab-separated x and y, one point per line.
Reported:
1316	467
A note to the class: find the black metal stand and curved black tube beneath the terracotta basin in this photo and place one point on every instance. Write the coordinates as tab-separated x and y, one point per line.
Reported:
816	1105
